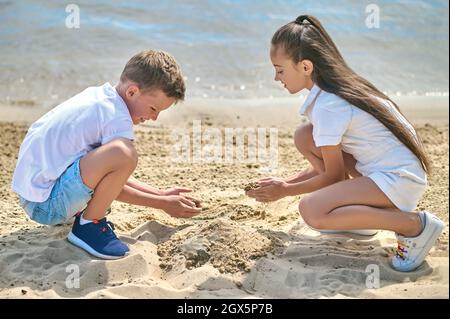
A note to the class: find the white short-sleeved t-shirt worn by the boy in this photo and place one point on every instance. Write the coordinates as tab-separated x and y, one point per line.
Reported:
66	133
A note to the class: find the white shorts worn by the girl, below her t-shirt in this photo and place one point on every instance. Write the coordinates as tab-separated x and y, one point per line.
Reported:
405	193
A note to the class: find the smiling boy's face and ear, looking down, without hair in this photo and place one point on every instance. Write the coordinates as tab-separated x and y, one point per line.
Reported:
144	106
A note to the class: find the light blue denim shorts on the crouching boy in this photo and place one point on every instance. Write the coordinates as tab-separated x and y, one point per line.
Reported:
68	196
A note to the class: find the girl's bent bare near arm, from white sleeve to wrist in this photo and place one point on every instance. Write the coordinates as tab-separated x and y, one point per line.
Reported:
334	172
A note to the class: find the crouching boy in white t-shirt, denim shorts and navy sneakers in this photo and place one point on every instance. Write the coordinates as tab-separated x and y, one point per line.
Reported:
79	156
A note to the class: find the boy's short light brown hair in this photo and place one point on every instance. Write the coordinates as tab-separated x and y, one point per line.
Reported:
153	70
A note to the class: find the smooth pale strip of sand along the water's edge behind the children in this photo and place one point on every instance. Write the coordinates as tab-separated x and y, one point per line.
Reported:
252	112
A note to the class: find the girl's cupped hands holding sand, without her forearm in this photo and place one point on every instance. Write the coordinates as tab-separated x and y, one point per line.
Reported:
270	189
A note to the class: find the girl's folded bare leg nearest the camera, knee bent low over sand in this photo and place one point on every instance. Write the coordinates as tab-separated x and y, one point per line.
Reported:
356	204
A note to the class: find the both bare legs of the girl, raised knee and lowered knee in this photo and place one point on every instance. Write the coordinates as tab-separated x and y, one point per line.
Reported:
355	203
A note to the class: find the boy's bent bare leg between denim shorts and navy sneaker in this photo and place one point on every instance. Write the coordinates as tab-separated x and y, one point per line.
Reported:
106	170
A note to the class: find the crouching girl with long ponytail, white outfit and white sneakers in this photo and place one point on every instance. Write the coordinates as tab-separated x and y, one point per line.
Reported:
355	131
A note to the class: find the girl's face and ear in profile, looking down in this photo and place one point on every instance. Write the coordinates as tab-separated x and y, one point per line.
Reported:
294	76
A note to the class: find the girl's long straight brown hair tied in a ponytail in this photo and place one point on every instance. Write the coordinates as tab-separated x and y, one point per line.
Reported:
305	38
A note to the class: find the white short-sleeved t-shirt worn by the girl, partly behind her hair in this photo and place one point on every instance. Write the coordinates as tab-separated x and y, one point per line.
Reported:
375	148
